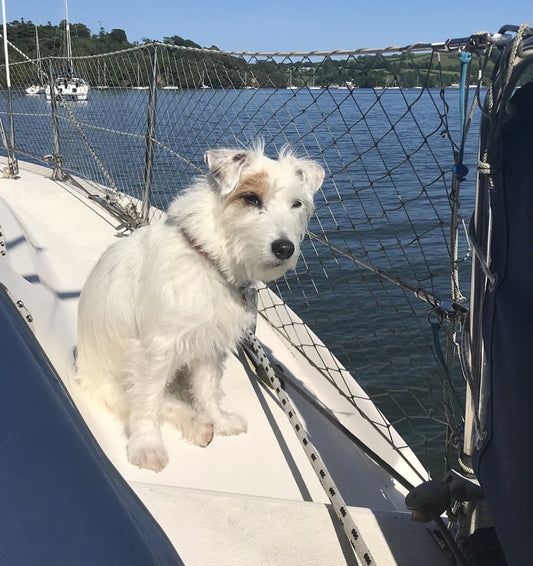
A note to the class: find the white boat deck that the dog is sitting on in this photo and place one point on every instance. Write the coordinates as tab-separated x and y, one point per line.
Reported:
250	499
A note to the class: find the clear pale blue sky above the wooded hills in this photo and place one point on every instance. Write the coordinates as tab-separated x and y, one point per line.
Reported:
283	25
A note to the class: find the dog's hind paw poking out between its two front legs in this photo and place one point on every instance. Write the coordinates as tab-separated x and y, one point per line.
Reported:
195	427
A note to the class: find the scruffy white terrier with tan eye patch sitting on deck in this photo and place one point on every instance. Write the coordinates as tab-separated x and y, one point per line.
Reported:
165	304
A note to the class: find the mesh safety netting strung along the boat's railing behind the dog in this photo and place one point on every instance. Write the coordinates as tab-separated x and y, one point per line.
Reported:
384	272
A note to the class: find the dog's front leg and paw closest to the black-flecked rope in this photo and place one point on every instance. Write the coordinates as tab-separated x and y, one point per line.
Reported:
205	380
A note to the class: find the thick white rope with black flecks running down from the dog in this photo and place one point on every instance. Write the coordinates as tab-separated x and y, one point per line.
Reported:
339	505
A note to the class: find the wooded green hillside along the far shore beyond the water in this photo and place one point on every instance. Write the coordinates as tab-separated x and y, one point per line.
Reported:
223	71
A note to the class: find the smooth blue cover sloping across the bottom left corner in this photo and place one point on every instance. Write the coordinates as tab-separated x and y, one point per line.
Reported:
61	500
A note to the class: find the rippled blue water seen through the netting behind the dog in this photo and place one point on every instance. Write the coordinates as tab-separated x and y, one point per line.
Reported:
387	156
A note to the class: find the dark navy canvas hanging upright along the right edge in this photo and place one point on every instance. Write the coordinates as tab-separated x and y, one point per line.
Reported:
504	464
